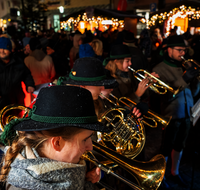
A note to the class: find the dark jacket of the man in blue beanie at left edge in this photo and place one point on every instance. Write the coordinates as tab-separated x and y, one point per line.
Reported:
11	75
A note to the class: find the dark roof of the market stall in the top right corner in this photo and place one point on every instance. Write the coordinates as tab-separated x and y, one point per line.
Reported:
193	4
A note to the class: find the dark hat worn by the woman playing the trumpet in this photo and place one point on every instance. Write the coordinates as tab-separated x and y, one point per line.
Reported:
119	51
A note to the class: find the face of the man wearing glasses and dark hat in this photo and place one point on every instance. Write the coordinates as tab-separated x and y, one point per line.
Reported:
176	52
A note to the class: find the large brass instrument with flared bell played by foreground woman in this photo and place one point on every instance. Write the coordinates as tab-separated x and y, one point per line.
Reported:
148	175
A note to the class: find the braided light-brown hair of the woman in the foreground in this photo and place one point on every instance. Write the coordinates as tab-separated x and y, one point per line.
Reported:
33	139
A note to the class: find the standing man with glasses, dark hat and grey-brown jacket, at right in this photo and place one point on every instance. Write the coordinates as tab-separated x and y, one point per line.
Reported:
171	72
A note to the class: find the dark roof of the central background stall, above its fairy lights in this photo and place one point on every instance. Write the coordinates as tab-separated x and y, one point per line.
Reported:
103	12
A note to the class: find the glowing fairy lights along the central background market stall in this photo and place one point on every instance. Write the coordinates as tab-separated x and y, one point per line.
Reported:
82	20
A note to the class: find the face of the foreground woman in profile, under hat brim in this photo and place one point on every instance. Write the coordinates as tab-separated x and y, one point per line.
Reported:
74	148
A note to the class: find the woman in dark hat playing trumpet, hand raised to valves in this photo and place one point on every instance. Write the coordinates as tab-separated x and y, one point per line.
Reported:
117	64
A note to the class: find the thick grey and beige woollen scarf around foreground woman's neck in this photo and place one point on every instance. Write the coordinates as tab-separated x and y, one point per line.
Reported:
30	171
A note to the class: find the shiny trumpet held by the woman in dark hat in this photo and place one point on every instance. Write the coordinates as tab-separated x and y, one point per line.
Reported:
155	86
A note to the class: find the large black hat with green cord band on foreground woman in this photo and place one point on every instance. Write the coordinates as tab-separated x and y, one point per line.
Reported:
62	106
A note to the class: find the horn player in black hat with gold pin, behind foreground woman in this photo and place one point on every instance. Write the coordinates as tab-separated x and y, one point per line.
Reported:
89	73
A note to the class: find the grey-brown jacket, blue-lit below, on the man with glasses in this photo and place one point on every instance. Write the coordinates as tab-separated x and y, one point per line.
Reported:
179	106
